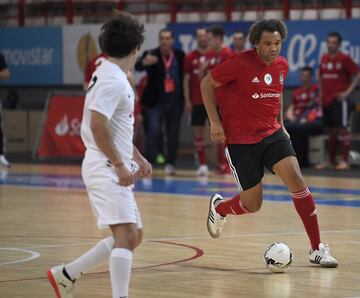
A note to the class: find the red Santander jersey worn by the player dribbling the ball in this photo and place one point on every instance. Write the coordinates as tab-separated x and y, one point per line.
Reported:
252	92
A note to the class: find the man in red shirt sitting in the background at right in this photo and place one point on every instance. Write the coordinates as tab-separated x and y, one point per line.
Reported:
304	115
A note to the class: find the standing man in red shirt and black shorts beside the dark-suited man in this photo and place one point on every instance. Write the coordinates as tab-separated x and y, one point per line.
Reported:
193	100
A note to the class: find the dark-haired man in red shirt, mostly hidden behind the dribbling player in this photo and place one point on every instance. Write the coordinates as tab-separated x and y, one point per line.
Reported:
218	53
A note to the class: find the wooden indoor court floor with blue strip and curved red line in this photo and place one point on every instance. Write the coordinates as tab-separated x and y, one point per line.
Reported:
45	219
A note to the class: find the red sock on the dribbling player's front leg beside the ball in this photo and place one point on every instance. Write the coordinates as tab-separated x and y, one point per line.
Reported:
305	207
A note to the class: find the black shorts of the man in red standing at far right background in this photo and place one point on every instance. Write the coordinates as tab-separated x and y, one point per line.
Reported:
337	114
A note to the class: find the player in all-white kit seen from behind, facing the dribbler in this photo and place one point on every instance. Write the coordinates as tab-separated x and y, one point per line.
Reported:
111	164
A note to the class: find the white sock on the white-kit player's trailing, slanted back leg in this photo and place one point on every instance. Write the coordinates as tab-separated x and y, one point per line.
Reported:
97	255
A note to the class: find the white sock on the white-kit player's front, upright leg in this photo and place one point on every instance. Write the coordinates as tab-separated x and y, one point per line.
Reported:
120	271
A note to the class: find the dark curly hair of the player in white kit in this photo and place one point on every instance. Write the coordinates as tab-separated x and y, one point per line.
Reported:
121	34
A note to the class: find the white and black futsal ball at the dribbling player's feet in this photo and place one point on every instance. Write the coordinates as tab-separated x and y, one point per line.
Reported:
278	257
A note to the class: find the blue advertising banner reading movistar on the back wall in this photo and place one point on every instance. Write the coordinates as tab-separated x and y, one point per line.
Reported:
33	55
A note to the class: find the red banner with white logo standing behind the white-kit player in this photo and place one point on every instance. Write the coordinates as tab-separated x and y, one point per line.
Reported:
61	132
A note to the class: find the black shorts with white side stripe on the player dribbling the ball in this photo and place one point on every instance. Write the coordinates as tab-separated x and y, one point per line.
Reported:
247	161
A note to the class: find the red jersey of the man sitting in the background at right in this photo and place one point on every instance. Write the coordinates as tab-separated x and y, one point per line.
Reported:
305	99
